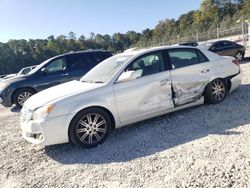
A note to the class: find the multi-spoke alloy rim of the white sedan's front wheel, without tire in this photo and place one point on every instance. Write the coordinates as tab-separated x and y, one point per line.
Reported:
91	128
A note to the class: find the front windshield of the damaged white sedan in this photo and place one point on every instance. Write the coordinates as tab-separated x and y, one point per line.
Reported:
105	70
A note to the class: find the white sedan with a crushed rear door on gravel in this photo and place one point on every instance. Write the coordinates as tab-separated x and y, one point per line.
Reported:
127	88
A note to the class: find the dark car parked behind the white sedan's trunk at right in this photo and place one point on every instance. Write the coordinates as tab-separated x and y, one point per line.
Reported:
228	48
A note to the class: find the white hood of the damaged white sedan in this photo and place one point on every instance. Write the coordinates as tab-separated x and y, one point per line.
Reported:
59	92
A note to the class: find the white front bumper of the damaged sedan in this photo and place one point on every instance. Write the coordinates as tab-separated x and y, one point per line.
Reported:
53	130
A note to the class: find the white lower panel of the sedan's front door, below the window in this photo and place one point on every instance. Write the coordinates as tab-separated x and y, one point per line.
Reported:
139	98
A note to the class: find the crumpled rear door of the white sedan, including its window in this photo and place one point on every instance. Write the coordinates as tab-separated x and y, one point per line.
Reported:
190	74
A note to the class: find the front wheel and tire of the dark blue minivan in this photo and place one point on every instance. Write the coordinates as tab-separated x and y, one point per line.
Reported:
22	95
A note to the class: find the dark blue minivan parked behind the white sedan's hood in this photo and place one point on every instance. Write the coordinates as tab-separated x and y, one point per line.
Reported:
54	71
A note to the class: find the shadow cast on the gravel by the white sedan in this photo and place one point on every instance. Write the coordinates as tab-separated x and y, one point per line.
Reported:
162	133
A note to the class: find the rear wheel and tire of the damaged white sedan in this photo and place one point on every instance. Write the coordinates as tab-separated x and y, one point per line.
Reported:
215	91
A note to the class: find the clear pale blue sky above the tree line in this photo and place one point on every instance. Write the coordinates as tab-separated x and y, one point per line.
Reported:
38	19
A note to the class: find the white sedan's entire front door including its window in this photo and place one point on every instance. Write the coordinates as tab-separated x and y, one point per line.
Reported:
147	95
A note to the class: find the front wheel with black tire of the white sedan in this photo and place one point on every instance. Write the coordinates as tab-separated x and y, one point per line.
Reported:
85	124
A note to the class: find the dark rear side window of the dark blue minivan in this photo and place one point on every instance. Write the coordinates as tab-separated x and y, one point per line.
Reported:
80	62
